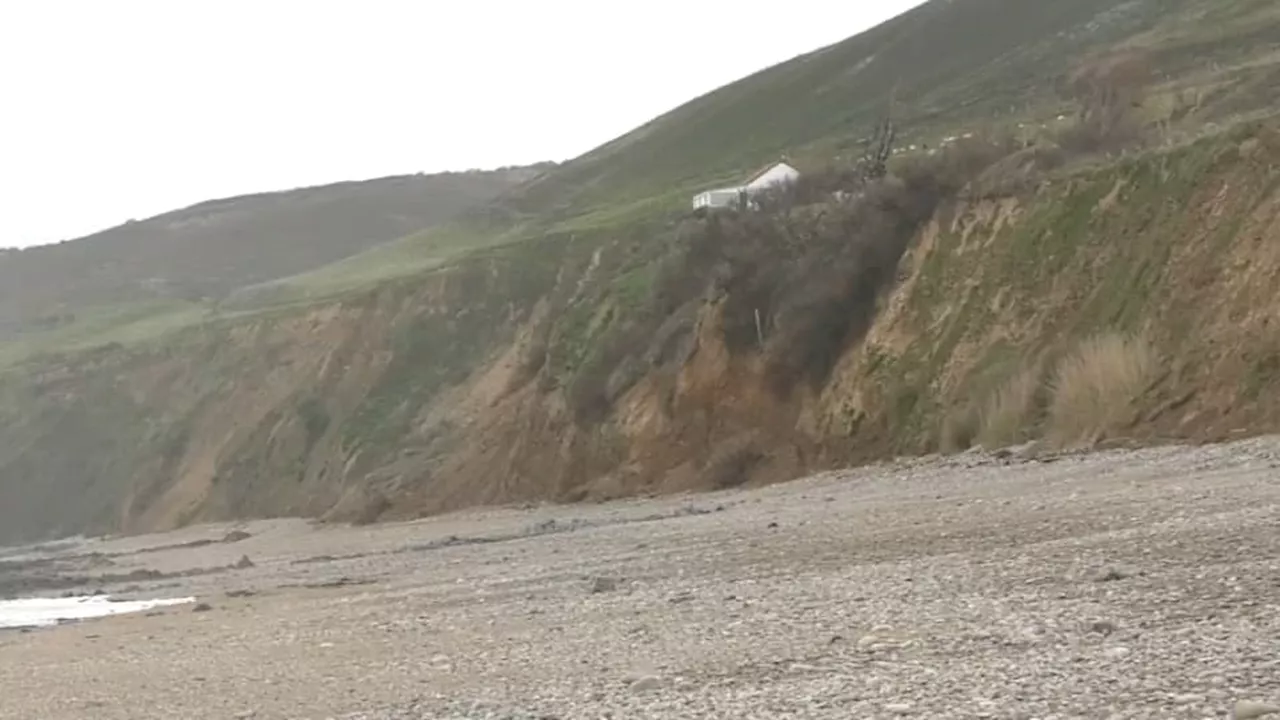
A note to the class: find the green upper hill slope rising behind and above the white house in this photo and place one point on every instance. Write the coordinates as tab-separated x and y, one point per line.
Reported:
943	70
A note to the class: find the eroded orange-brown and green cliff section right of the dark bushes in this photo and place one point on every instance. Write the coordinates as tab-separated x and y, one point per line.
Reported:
1180	249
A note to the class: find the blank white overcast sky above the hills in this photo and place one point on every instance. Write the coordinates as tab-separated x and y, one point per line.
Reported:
130	108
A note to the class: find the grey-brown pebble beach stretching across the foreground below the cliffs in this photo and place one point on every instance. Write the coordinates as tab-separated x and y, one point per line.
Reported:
1123	585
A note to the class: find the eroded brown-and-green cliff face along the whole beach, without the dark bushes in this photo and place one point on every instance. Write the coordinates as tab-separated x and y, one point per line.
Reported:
447	391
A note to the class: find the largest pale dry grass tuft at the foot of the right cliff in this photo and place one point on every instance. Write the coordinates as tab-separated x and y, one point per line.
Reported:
1096	389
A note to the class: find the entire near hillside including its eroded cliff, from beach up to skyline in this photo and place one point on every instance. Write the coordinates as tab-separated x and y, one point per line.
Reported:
1095	266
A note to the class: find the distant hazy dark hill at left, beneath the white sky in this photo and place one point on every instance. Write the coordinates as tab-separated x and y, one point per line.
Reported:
209	250
